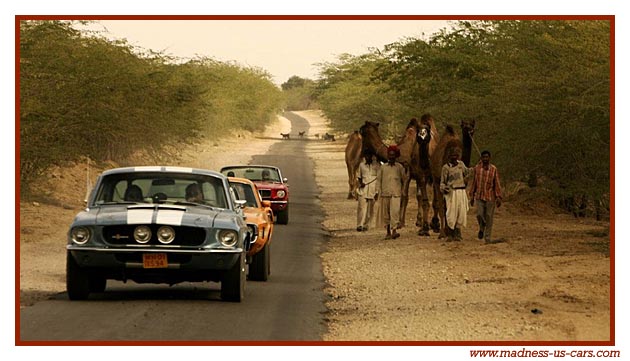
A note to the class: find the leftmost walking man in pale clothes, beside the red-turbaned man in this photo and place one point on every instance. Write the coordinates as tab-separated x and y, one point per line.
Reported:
367	177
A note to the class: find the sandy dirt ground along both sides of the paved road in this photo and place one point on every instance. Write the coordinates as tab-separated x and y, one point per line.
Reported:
409	289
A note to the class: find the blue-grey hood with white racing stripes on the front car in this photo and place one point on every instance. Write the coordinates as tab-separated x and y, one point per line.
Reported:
160	214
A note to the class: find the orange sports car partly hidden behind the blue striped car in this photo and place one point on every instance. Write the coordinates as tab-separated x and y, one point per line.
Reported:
259	219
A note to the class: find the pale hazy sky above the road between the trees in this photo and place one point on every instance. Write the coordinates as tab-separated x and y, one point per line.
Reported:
282	47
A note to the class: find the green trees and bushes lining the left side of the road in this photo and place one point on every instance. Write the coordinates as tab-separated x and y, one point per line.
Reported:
82	95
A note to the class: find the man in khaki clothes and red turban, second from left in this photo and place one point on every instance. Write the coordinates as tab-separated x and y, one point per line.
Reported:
390	185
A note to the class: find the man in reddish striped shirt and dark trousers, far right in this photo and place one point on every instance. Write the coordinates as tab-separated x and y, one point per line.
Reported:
486	190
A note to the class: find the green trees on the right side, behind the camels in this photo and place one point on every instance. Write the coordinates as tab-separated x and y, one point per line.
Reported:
539	91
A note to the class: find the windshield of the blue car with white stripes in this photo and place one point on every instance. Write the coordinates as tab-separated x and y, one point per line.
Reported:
161	187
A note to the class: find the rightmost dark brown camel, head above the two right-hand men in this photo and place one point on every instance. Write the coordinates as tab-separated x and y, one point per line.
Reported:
448	140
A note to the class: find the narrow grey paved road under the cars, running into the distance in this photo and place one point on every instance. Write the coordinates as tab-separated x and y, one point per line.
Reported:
289	307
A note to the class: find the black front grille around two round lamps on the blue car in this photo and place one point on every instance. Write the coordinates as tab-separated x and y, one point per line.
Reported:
184	236
